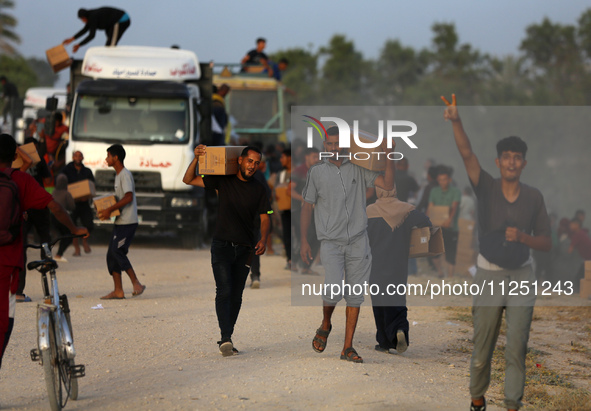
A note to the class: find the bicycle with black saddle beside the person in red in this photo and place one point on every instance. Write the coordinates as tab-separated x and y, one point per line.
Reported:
55	338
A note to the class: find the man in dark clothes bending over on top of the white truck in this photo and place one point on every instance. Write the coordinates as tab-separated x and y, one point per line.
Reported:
112	20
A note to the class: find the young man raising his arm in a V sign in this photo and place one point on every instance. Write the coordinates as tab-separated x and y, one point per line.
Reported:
512	220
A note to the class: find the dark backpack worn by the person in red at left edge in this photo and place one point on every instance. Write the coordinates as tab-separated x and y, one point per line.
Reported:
10	209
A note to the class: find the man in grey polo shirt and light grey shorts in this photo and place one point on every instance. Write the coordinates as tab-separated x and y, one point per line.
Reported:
335	190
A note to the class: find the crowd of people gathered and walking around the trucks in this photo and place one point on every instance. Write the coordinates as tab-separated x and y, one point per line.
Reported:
355	222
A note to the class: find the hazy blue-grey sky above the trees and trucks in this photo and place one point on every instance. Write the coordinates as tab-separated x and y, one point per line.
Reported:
224	30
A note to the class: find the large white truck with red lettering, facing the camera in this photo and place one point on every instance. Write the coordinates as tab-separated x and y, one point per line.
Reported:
156	102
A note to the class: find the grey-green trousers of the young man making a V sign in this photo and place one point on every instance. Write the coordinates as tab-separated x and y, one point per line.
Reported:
487	313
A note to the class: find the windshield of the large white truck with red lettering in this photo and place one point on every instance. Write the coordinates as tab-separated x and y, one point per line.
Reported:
132	120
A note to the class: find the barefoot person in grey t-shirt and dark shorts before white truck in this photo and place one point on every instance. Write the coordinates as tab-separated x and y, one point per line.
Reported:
124	227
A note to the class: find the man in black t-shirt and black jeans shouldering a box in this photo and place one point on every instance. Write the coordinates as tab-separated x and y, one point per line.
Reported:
241	200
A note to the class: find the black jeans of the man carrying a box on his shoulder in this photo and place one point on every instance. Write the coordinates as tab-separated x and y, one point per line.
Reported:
230	270
